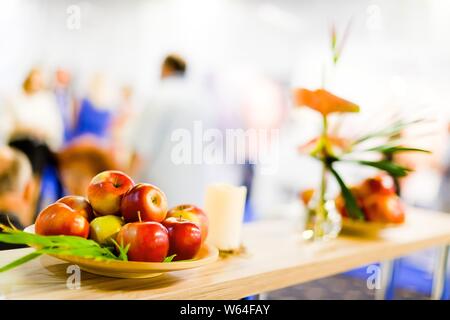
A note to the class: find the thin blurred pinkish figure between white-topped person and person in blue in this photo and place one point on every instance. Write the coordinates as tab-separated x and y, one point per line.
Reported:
65	100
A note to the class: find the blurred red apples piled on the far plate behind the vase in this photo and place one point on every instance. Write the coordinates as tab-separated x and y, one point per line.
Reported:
377	199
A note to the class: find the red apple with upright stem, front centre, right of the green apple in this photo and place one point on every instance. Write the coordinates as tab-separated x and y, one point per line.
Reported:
149	241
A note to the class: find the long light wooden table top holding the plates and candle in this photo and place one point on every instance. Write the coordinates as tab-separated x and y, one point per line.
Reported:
275	258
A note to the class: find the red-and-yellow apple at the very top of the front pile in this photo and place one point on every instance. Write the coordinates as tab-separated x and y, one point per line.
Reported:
106	190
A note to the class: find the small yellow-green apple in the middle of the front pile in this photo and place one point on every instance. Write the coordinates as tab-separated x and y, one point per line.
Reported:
105	228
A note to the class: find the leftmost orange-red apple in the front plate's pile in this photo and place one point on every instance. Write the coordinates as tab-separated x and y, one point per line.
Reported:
60	219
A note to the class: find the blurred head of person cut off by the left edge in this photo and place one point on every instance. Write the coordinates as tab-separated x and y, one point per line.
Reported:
15	190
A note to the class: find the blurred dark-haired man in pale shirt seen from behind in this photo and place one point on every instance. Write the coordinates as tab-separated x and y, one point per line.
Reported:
176	104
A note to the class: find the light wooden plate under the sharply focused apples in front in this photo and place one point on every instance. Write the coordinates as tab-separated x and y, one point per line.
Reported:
132	269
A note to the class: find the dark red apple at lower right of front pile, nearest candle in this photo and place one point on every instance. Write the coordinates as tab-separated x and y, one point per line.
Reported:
185	238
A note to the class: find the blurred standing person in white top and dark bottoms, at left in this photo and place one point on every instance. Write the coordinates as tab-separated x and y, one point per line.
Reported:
36	130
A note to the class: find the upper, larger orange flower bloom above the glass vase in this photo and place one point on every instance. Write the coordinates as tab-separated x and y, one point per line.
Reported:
323	101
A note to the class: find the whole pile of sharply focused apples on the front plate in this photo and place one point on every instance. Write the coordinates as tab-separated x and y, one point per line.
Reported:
131	214
